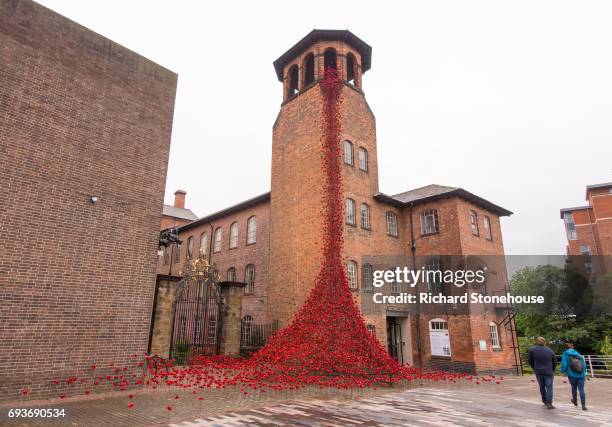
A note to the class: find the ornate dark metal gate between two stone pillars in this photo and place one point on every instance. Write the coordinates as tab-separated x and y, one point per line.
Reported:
197	313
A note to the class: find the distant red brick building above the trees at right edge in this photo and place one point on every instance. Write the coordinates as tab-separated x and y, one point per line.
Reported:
589	228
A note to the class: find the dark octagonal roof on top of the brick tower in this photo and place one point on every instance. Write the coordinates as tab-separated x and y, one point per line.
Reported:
314	36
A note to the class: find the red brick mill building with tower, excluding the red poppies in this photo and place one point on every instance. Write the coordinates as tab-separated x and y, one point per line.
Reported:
273	241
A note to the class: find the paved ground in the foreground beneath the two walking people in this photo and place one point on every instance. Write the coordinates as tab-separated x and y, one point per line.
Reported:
513	403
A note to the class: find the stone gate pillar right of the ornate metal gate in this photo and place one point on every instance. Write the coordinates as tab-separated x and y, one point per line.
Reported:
232	293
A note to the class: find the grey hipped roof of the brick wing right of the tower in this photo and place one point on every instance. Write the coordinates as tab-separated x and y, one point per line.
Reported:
434	192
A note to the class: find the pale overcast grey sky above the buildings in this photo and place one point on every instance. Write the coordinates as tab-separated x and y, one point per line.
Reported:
509	100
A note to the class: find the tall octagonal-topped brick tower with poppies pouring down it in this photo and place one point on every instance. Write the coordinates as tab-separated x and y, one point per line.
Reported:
296	234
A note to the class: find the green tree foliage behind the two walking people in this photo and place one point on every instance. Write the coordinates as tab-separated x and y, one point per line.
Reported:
574	310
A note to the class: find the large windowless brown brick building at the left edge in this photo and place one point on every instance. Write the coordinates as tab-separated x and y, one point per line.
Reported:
85	130
